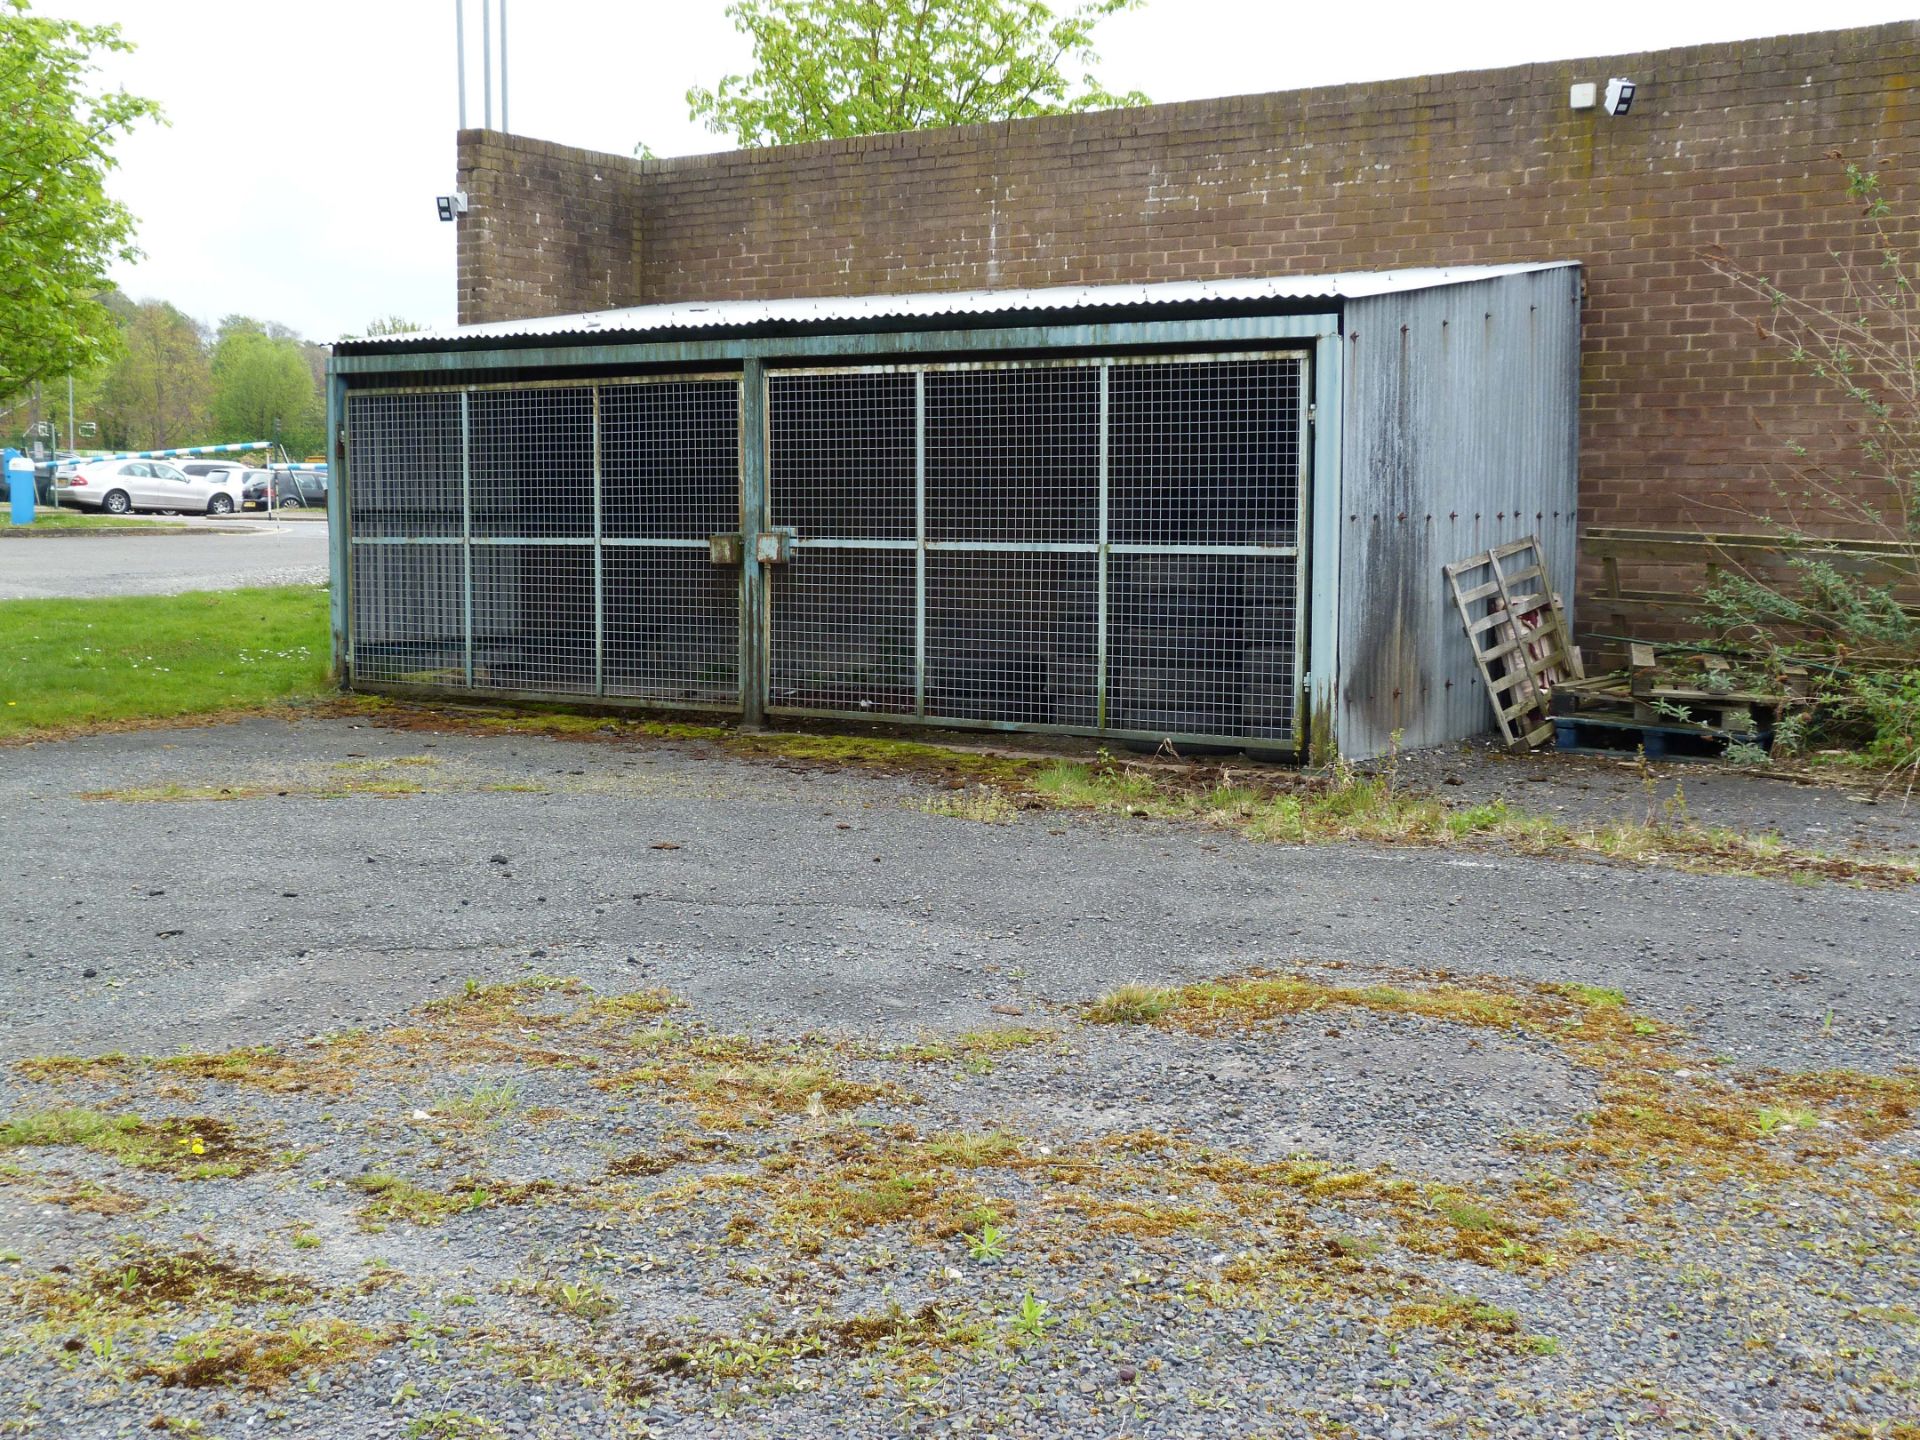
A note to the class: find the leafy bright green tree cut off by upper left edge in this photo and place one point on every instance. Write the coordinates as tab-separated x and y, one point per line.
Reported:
59	229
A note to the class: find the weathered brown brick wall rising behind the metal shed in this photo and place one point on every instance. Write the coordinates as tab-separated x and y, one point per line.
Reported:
1687	412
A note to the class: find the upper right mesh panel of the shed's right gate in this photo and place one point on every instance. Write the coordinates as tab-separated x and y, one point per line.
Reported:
1205	454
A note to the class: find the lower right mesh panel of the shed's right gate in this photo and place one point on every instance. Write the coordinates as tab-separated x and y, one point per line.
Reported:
1203	644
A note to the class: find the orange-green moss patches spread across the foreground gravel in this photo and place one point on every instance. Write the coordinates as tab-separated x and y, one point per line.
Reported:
802	1164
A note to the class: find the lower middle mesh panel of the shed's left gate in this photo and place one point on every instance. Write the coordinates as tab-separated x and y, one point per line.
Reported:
535	617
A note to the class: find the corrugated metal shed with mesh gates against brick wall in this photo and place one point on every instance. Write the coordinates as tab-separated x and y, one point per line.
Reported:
1207	512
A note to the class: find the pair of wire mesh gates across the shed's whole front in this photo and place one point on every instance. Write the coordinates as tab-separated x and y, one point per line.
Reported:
1090	546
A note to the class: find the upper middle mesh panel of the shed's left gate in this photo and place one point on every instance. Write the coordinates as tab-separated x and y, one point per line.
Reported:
533	462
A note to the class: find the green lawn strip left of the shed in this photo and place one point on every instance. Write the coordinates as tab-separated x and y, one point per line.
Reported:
76	663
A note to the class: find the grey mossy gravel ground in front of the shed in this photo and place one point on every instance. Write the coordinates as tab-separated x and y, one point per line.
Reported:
752	1201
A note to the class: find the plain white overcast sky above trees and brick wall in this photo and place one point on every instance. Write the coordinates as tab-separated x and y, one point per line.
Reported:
310	137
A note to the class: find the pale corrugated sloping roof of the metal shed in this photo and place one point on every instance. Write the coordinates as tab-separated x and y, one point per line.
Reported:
946	306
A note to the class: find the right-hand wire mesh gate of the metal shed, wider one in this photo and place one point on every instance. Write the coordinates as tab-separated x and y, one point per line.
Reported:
1088	546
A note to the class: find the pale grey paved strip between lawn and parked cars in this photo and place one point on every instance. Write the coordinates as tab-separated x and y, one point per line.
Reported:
105	564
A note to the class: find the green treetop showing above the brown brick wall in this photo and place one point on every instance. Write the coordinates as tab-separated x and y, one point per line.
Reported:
834	68
